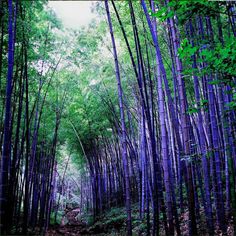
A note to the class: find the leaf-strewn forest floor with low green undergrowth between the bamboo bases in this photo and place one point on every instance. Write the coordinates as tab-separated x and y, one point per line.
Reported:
112	223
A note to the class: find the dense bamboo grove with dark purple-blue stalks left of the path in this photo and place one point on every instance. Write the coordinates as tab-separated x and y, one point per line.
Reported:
27	160
